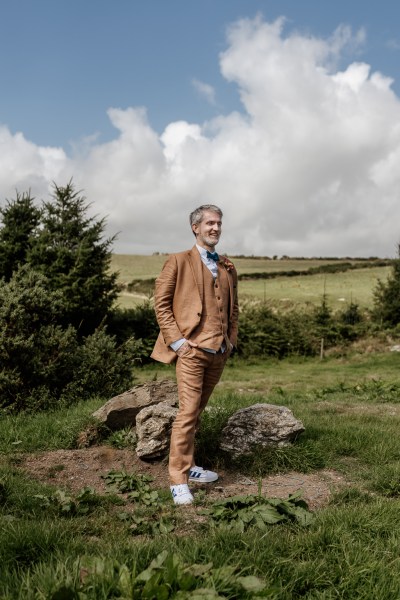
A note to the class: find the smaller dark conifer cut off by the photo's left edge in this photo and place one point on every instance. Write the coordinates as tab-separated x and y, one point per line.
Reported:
20	219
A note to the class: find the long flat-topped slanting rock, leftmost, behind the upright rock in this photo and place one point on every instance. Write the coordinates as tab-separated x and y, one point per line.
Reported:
121	411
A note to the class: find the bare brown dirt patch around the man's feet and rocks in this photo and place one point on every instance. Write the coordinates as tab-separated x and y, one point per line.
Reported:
76	469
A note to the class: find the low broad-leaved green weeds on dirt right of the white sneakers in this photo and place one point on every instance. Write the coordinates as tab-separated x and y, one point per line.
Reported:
241	512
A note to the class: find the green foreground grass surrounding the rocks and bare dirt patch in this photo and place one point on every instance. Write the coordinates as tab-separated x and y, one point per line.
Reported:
351	411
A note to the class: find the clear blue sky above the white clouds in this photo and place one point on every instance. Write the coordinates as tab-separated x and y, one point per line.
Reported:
64	63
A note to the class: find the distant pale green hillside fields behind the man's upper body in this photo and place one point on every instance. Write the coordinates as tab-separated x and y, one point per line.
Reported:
340	288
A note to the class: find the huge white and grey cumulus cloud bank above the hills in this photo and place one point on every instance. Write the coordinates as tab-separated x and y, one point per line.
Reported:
307	168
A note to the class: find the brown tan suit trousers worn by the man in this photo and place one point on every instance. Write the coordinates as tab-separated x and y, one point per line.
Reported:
197	373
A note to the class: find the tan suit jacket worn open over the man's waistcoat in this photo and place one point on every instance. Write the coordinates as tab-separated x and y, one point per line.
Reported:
178	301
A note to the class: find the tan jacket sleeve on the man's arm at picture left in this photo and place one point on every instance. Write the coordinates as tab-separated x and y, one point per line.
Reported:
163	302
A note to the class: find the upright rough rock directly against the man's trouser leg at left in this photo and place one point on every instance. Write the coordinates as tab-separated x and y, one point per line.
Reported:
153	430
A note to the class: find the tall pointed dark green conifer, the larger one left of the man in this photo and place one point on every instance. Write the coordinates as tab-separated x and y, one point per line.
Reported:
69	250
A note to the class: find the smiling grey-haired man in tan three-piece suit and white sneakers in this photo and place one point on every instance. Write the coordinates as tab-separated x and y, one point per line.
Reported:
197	312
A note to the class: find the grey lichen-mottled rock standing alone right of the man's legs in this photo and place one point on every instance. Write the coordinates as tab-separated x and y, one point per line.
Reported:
259	425
